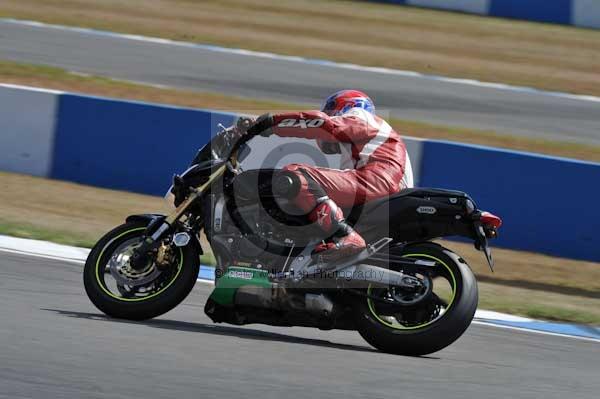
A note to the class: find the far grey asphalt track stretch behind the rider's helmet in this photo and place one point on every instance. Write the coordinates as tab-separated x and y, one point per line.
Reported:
525	113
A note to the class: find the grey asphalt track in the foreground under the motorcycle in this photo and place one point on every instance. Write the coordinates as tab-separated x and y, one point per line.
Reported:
55	344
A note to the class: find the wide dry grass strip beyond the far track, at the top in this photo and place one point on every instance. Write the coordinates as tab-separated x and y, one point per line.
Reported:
546	56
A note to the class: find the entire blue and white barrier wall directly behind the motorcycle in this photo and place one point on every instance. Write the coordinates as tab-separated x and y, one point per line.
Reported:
548	204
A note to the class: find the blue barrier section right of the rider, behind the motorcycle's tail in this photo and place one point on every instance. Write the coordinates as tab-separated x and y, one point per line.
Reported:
548	205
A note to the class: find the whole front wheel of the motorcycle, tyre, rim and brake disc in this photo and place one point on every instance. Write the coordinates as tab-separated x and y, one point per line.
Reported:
122	292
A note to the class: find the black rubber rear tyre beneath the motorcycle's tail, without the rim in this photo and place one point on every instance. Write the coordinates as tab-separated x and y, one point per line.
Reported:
430	336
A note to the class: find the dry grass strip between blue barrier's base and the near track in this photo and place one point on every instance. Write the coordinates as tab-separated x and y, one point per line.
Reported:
528	284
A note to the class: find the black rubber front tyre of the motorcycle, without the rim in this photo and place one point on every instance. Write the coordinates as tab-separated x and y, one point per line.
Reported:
133	308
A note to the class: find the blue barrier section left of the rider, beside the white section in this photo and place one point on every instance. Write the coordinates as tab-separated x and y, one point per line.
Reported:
127	145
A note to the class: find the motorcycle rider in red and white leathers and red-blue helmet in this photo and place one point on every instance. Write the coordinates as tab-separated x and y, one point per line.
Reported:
374	164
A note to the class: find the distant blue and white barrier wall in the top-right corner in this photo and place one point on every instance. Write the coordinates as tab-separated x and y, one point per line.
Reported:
584	13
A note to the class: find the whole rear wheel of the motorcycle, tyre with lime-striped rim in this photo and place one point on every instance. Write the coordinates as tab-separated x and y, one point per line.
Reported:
401	324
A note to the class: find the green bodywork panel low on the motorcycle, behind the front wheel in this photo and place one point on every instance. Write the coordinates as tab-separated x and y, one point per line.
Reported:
234	278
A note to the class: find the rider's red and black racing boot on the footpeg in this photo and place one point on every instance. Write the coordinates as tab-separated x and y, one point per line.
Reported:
345	241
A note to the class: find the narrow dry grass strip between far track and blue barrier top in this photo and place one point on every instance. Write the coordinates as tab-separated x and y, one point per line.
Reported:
59	79
